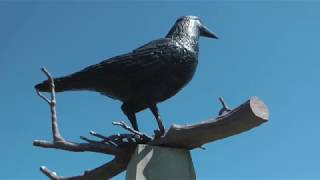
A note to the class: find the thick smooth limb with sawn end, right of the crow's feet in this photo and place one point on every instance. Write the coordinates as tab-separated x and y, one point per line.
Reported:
248	115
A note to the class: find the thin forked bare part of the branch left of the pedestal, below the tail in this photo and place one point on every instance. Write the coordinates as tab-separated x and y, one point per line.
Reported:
114	147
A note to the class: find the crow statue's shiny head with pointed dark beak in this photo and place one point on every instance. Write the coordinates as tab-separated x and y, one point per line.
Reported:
190	26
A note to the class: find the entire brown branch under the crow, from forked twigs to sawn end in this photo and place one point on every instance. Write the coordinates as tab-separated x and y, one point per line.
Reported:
230	122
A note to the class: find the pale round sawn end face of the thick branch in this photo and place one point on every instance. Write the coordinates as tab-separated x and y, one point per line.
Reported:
259	109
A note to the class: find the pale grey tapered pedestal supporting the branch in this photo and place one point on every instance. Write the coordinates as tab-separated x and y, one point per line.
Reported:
154	162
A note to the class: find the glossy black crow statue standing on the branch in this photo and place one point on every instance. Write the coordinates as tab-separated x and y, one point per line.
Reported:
146	76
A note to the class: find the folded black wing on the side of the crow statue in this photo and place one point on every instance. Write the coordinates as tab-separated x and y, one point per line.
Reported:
141	61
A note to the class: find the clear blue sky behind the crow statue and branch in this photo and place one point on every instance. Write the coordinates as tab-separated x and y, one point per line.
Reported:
269	49
